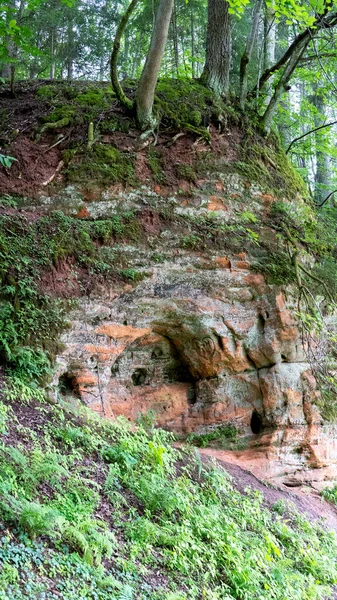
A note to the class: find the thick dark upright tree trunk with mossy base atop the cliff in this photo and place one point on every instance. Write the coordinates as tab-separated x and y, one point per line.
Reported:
218	48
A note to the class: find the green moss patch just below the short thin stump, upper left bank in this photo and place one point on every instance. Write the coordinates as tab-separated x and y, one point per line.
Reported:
104	165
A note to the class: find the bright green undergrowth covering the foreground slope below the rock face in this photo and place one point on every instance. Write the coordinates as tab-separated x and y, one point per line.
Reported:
95	509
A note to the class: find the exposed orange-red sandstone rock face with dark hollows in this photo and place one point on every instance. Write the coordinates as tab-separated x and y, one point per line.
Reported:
202	347
